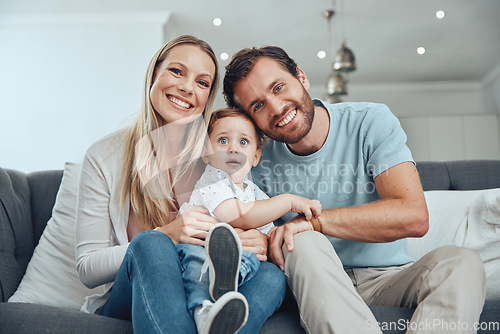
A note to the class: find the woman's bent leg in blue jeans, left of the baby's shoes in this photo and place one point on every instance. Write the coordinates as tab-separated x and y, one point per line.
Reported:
148	288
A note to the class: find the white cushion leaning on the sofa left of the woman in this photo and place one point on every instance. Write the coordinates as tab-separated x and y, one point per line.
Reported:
51	277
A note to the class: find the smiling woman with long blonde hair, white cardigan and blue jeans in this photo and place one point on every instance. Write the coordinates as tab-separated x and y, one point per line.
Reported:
133	180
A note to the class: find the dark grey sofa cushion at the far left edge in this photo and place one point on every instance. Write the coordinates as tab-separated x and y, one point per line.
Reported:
16	240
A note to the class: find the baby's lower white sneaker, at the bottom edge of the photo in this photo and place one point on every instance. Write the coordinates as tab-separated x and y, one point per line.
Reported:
226	316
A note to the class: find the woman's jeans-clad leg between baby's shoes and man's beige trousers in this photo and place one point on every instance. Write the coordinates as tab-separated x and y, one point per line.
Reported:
264	294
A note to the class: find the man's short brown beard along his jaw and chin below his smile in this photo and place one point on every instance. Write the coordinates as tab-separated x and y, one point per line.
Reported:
306	107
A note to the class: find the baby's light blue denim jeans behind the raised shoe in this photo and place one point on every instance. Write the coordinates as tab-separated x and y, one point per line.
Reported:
196	285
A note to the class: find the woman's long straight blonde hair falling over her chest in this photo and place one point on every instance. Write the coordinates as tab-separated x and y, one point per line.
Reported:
148	187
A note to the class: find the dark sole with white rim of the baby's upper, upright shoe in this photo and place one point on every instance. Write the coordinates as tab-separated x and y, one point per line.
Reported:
224	254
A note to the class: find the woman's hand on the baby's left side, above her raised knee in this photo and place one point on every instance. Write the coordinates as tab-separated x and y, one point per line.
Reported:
191	227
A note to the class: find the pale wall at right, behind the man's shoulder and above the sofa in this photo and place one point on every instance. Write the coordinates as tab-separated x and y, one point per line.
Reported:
443	120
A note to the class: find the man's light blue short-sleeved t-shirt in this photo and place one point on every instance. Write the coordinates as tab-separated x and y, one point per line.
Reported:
364	140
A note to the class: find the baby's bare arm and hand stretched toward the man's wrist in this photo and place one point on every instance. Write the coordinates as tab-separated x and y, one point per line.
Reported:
259	213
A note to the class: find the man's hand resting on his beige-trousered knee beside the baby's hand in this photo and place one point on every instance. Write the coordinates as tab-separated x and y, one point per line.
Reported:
284	234
